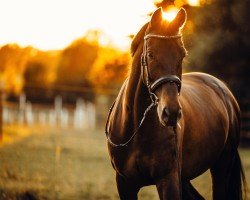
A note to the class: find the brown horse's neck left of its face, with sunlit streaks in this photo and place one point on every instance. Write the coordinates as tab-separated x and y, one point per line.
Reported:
130	105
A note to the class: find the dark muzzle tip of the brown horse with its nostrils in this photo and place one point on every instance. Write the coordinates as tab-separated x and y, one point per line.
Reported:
169	118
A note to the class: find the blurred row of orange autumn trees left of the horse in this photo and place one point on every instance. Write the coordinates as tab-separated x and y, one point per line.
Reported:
84	64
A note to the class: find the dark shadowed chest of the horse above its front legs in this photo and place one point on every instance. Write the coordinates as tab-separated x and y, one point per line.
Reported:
148	159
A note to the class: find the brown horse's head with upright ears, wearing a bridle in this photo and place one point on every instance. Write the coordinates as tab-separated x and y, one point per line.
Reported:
162	64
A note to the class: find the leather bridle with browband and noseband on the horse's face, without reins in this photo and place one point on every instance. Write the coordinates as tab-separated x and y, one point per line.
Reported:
152	86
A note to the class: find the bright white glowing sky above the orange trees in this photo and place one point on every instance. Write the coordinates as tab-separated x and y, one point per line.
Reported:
53	24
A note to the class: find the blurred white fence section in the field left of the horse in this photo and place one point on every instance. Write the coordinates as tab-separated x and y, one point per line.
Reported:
80	116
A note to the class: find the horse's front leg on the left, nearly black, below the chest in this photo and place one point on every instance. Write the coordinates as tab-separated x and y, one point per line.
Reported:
127	189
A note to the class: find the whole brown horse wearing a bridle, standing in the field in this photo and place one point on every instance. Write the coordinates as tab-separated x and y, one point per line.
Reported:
166	128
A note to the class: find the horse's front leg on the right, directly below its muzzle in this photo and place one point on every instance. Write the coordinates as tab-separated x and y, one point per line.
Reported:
169	187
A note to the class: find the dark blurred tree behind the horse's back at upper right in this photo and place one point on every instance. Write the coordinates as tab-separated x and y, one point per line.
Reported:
221	43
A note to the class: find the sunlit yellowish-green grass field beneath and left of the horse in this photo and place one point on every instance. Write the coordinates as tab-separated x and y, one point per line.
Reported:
68	165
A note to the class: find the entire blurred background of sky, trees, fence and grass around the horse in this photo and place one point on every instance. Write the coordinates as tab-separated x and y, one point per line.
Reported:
62	63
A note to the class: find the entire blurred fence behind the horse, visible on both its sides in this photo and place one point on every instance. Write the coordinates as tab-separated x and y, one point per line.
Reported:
82	115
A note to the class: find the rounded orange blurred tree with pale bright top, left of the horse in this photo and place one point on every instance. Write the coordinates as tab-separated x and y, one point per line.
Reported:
76	61
